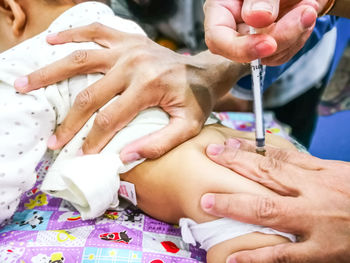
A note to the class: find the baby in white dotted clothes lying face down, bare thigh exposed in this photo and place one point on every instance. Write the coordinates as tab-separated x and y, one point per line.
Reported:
168	188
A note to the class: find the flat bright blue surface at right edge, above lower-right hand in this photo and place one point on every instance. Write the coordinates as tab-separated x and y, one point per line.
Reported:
331	139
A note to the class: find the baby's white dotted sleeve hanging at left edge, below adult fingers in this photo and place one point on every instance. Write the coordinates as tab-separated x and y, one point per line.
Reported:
26	123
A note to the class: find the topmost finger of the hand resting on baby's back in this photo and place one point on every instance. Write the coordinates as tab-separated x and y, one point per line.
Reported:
96	32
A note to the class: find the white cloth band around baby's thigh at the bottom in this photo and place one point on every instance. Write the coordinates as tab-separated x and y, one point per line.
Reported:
214	232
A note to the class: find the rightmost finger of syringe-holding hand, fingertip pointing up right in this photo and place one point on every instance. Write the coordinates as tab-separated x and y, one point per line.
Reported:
291	33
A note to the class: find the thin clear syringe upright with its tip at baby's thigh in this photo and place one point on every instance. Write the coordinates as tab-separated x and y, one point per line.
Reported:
257	78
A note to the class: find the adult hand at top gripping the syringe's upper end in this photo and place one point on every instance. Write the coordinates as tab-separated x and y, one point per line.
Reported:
285	27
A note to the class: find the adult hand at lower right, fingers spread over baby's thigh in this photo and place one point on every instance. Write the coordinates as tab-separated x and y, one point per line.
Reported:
313	202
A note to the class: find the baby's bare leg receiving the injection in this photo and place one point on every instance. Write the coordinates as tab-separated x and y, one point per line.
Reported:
170	187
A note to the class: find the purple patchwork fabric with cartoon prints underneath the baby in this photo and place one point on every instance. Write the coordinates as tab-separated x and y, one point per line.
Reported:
46	228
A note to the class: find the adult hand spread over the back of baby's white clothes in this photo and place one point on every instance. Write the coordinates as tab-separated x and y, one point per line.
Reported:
146	75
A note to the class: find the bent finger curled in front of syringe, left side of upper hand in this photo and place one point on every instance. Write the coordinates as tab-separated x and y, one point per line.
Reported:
222	37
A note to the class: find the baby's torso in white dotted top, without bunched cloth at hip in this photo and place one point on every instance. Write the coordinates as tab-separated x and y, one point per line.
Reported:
28	120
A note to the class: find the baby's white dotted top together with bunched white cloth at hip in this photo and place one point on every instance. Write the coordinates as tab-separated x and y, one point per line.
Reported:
28	120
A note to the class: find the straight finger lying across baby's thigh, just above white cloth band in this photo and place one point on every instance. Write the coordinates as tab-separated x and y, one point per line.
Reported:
277	212
